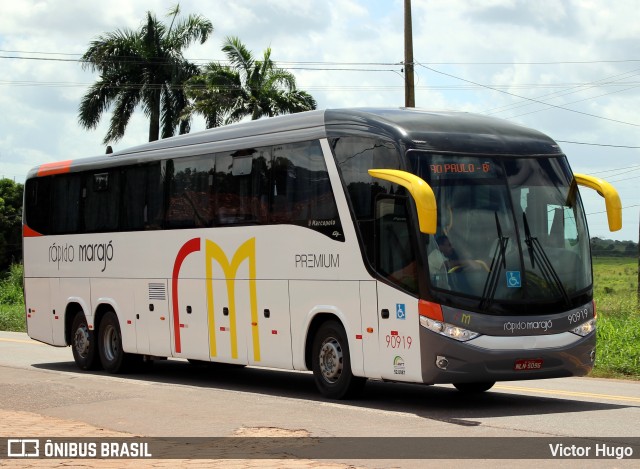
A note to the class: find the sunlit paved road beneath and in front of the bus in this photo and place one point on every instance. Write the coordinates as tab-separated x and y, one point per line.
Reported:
176	399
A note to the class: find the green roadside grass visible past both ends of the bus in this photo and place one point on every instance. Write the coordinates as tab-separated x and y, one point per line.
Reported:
618	353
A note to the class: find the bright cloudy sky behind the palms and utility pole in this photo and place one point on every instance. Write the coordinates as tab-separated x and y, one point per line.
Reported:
568	68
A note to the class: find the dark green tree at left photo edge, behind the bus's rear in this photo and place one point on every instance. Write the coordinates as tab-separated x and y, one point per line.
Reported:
10	223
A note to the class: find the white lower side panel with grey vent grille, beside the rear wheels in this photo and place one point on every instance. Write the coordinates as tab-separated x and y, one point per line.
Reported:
152	317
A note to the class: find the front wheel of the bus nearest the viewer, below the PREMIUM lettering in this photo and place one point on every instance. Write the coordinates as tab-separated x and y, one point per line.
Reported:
331	363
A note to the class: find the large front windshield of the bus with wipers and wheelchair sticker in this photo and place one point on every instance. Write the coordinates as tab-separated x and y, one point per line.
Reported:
509	229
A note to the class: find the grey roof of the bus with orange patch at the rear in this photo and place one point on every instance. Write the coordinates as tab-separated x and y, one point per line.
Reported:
430	130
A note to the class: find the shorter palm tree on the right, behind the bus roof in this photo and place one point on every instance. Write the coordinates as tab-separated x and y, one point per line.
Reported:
248	88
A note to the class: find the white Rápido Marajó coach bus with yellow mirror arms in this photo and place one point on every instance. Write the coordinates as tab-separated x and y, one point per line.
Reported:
390	244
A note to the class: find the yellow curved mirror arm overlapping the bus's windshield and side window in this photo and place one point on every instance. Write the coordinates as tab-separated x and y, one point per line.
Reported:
419	190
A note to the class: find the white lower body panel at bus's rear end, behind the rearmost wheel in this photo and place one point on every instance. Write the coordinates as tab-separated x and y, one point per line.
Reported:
39	314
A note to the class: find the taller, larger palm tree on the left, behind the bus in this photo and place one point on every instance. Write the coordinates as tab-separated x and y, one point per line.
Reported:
142	68
